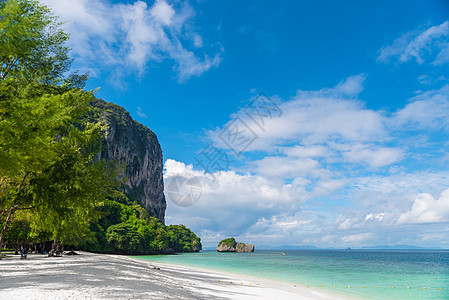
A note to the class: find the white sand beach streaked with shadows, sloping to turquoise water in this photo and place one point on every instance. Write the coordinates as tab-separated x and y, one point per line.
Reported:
95	276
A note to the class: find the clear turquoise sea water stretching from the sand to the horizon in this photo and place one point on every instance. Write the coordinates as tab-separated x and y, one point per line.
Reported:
371	274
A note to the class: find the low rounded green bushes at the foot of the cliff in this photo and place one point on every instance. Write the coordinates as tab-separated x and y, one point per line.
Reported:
126	227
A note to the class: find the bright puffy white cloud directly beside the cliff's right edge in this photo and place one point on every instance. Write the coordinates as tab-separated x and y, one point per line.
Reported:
229	200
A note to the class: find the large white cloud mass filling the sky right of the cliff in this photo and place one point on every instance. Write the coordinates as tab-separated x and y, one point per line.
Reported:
320	168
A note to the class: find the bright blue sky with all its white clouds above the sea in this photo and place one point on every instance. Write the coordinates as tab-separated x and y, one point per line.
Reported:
356	153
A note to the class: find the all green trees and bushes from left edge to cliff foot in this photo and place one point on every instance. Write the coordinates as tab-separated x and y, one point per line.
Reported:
52	187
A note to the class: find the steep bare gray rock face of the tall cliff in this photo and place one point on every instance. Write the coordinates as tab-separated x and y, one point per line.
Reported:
137	148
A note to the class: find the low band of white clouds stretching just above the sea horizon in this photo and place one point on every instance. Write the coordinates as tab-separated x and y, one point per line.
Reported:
265	211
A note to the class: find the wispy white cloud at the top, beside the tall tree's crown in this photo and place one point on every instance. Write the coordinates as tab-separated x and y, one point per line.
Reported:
127	37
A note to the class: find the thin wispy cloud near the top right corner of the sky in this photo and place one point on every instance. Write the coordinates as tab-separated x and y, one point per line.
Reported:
417	44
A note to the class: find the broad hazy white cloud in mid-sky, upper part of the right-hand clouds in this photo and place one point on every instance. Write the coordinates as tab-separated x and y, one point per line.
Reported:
314	117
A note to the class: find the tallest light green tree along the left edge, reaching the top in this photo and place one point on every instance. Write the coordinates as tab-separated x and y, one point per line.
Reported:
32	52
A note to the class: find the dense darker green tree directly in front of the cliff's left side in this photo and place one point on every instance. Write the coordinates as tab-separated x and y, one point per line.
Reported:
69	191
